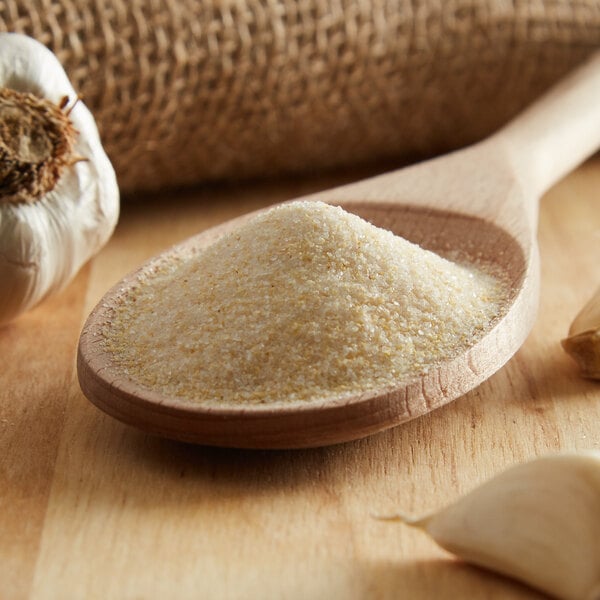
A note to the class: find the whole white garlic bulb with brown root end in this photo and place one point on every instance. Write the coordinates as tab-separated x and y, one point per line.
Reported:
59	200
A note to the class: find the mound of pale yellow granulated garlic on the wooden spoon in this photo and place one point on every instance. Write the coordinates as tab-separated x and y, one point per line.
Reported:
304	302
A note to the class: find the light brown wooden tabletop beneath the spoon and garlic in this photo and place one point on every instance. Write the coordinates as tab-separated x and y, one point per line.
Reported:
90	508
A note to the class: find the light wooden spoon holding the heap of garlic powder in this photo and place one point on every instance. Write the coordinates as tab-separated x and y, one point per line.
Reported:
480	202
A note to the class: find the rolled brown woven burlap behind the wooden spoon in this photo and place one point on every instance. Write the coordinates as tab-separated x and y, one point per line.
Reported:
192	90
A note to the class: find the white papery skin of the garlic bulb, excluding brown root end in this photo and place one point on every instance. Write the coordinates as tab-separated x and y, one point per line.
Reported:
43	244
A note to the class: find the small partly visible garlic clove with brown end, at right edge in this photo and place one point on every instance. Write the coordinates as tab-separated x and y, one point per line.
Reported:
583	342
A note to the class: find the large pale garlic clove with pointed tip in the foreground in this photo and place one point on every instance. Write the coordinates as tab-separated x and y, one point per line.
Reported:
538	522
